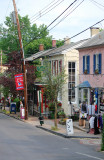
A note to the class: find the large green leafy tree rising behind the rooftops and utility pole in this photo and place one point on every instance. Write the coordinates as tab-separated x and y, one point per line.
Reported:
9	36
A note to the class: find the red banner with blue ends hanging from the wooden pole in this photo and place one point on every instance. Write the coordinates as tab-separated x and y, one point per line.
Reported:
19	81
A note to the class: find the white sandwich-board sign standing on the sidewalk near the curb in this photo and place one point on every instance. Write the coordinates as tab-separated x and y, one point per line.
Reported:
69	126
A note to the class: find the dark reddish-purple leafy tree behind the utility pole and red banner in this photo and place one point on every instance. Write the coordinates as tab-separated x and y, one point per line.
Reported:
15	67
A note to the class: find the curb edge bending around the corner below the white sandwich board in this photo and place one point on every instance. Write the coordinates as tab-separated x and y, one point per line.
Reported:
63	135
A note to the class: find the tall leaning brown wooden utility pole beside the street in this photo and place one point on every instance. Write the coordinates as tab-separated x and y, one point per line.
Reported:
22	55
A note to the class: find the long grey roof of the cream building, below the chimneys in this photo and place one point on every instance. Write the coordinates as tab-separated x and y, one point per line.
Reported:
55	51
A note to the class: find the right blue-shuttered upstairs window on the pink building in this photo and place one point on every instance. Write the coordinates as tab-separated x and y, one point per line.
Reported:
97	63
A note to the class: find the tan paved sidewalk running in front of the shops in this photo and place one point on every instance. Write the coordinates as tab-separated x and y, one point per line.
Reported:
79	131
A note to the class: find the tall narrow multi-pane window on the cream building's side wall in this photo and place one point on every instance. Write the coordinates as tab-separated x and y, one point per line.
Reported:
71	81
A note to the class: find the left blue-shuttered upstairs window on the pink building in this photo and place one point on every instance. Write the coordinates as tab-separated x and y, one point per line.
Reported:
86	64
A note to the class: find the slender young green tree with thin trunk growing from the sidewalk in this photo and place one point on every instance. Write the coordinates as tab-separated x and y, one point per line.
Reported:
53	84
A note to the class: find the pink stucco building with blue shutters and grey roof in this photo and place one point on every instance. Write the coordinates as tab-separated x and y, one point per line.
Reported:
91	70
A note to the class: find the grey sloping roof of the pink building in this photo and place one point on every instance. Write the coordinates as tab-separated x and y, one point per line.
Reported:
94	41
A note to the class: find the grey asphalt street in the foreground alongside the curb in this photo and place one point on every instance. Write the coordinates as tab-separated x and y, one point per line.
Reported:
22	141
